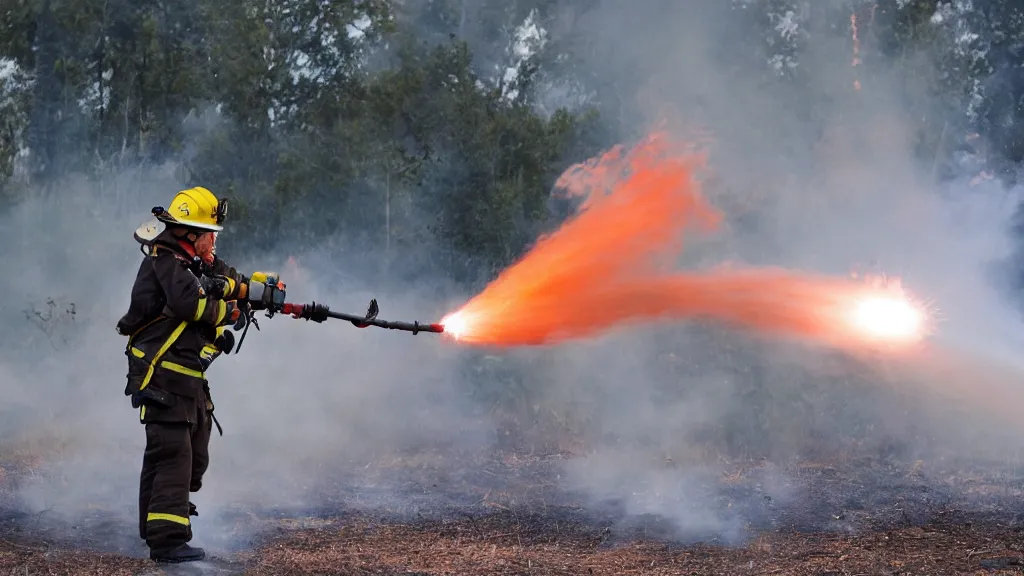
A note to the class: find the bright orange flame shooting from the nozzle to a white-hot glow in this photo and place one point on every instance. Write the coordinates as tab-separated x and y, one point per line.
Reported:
607	268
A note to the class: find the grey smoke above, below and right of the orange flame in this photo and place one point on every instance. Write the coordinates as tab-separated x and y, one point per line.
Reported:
814	174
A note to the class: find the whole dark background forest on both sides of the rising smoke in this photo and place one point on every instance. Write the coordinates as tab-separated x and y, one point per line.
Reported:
442	121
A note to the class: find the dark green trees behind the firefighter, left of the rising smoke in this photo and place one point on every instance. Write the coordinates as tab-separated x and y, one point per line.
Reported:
314	116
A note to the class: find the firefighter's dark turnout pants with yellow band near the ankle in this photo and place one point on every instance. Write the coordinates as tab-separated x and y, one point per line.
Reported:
178	440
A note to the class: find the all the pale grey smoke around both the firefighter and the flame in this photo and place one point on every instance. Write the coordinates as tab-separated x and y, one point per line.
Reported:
815	176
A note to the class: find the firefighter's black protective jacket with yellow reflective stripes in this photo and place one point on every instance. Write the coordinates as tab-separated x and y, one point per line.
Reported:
174	324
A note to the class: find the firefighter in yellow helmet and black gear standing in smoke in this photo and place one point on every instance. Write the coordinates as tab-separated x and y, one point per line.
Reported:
184	300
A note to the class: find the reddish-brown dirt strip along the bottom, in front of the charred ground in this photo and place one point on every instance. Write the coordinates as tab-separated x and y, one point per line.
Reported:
507	544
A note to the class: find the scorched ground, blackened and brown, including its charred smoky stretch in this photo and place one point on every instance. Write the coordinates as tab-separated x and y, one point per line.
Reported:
511	516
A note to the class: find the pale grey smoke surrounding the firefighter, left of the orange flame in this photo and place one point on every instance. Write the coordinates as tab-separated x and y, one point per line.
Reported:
306	407
